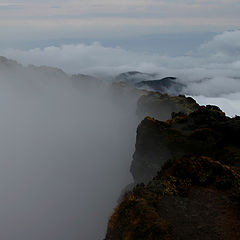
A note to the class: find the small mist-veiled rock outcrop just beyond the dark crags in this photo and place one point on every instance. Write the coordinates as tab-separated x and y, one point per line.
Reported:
161	106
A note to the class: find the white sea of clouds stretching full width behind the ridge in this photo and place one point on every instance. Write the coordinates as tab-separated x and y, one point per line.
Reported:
211	74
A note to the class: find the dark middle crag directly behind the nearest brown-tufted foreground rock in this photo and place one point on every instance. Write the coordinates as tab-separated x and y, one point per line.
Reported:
205	132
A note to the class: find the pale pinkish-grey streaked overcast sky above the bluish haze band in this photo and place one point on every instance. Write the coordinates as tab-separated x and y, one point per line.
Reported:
22	20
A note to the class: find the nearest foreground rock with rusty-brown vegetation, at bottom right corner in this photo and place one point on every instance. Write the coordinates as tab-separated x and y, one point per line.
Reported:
190	198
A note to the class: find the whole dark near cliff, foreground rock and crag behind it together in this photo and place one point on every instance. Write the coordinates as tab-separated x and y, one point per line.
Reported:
188	175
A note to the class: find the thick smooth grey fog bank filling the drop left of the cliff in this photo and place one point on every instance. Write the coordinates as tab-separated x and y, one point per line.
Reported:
65	152
